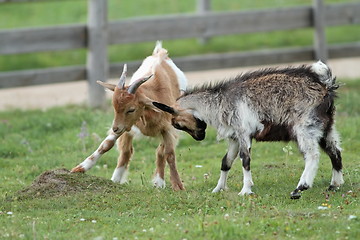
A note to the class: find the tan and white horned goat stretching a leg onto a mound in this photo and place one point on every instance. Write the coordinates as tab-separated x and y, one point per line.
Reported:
159	79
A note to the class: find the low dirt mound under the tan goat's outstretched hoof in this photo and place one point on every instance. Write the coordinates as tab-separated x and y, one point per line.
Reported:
61	182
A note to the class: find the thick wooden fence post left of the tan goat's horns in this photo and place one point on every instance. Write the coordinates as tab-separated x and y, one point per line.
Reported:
97	66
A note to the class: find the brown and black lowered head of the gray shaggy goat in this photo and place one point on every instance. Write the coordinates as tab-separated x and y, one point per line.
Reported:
184	119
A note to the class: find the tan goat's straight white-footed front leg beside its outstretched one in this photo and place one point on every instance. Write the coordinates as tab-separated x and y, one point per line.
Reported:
126	151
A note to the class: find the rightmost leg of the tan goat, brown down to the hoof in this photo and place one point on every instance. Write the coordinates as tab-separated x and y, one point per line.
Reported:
169	142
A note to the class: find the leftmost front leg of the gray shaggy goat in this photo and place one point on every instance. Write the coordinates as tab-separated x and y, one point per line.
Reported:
226	164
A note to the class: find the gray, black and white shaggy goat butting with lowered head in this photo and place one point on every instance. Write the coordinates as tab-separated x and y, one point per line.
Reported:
295	103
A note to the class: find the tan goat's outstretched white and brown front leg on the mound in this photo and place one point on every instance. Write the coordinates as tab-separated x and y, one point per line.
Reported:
90	161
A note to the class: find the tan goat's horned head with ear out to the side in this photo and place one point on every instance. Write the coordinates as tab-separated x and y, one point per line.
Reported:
128	107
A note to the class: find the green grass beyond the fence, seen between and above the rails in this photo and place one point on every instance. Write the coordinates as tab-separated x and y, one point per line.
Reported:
40	14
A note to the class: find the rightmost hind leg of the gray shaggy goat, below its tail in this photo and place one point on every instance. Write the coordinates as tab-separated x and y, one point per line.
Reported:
331	145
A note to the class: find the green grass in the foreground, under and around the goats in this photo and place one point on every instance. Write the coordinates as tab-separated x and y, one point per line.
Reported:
32	142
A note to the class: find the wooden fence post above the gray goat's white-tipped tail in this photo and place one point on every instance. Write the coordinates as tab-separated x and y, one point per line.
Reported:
320	45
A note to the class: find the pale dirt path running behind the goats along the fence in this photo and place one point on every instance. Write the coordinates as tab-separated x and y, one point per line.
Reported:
60	94
